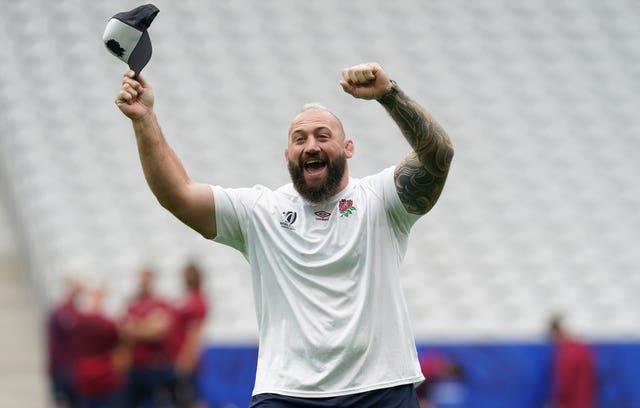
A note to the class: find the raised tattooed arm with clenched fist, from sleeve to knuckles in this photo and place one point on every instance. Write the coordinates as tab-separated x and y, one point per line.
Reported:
419	176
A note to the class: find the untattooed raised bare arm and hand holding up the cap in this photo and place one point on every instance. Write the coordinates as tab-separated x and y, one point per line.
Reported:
189	201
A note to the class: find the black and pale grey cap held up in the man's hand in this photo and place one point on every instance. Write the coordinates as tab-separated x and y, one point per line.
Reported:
126	36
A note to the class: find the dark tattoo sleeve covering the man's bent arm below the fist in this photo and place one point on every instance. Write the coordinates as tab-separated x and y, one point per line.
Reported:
420	176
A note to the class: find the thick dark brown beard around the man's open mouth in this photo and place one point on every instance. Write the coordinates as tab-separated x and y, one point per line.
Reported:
335	172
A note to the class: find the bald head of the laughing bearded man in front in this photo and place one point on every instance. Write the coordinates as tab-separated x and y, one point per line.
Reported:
317	153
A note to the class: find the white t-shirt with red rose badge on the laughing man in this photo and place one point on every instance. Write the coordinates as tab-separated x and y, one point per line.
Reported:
331	312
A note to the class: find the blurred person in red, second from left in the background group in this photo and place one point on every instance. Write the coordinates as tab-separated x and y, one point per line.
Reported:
97	380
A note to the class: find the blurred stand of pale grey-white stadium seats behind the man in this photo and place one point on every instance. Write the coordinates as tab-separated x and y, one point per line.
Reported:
540	213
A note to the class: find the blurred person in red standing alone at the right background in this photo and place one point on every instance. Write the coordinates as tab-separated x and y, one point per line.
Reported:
574	377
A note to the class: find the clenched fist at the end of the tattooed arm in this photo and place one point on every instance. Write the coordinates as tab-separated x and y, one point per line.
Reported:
366	81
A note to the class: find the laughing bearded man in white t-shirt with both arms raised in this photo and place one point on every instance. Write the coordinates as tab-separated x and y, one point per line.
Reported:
324	251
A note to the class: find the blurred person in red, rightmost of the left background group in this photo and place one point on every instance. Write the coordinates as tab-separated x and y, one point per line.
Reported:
184	338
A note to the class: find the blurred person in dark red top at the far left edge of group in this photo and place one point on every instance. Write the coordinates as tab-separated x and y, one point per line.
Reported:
61	323
